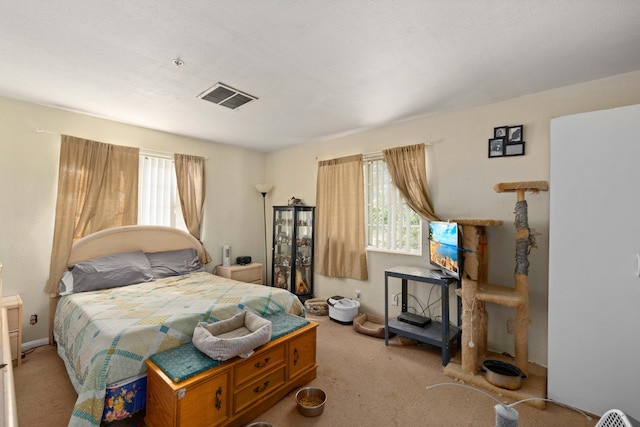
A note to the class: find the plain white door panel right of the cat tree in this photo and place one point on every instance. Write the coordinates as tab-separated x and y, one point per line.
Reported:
594	256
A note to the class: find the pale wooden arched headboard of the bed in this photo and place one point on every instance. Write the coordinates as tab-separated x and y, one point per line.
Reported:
147	238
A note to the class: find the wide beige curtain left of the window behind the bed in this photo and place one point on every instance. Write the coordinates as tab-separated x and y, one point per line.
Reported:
97	189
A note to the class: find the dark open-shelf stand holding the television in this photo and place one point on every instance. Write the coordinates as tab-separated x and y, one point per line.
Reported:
441	334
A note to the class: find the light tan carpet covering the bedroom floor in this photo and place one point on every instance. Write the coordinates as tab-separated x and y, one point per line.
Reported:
367	384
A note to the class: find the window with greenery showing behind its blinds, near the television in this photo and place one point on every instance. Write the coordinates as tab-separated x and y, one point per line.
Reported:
391	224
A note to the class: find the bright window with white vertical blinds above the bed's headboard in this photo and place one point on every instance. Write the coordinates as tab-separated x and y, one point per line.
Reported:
158	202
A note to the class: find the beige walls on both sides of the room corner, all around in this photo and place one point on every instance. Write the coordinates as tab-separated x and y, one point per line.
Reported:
461	178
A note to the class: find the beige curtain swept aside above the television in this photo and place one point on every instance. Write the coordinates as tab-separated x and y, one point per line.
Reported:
407	167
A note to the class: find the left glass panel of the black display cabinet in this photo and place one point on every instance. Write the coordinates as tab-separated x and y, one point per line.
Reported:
282	249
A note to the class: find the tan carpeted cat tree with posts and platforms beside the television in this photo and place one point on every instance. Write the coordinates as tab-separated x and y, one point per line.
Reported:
476	292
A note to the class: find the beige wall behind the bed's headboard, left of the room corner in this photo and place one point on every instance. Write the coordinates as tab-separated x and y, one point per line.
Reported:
28	184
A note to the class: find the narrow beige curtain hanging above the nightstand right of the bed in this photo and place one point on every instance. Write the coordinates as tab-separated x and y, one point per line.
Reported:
191	189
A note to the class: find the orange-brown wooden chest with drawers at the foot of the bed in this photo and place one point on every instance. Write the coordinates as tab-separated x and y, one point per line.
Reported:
236	391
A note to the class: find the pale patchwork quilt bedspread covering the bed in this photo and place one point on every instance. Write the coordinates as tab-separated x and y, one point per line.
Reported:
105	336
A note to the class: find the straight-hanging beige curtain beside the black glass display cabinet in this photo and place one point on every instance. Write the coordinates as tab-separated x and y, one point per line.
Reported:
340	228
